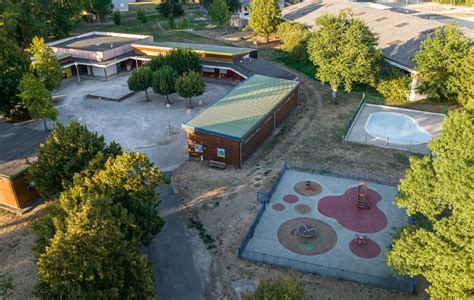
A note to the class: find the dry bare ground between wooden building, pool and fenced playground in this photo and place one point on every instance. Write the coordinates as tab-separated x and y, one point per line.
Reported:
225	200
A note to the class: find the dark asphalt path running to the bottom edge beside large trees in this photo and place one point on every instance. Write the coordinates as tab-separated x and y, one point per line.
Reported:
171	255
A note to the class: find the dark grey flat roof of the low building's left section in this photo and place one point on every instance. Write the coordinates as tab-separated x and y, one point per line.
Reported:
96	42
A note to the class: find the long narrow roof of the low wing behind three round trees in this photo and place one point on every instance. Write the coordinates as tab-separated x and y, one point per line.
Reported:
203	48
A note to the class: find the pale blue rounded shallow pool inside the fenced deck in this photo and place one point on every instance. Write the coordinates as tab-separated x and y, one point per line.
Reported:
396	128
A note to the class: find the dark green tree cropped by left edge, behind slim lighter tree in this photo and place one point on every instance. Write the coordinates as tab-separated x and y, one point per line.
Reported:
14	63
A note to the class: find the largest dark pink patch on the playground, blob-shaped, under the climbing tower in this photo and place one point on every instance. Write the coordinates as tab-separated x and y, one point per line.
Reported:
344	209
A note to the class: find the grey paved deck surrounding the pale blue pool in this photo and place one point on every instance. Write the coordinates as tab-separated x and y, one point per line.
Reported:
428	121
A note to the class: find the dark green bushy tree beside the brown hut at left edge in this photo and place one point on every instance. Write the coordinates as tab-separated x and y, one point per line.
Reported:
67	151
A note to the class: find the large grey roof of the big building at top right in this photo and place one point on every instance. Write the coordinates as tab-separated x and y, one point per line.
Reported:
400	35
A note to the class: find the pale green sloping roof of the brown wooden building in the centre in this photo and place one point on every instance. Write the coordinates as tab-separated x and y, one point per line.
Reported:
243	107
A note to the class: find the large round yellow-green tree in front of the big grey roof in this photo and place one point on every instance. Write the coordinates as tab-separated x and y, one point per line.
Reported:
344	51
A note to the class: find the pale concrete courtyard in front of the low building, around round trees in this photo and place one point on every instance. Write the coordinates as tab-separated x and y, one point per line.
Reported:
134	123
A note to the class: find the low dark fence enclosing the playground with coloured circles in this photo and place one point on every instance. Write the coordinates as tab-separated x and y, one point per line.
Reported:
401	283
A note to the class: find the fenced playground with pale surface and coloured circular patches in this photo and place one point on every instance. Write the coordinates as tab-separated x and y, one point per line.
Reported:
328	225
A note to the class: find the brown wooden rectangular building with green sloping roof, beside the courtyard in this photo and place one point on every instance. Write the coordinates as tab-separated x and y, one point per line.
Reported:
232	128
